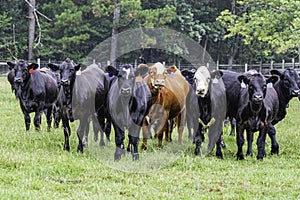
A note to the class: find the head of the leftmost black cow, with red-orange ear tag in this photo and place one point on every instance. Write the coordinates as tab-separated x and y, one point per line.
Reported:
22	70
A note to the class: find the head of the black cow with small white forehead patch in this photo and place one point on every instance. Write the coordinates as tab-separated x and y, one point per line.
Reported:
126	77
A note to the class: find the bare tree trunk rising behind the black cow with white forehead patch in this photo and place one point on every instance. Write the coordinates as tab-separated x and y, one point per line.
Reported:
114	35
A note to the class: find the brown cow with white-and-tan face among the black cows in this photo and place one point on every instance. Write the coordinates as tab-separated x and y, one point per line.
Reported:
169	90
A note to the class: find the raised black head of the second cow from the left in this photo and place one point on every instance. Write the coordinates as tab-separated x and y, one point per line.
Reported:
67	71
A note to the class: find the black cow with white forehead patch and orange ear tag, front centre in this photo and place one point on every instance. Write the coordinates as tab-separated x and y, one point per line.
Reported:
128	101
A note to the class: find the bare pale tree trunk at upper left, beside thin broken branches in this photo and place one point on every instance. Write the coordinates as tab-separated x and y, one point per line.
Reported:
31	29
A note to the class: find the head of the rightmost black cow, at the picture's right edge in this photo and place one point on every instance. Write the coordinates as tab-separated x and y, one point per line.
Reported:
289	81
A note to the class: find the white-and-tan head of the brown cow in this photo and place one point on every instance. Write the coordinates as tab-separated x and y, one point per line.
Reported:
158	74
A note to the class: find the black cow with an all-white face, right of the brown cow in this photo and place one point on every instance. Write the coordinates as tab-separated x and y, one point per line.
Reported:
210	109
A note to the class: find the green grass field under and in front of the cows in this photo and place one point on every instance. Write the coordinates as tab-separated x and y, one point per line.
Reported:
34	166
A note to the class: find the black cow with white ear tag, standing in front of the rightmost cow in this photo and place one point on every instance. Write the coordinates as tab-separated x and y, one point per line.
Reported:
257	107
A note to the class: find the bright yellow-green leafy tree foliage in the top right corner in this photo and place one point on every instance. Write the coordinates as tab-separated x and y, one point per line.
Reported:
275	24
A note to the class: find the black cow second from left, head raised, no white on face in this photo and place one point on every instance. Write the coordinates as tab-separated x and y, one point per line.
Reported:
77	97
